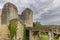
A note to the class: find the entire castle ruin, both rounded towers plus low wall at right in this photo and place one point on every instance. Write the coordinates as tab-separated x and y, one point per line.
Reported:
10	12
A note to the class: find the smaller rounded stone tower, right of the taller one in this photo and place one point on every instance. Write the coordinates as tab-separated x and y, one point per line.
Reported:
27	17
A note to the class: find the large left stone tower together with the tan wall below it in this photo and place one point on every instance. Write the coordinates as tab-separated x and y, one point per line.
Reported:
9	12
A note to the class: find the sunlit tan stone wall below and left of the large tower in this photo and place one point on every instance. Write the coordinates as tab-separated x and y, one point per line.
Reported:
4	33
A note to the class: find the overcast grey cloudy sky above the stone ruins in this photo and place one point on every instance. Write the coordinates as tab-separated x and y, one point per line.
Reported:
44	11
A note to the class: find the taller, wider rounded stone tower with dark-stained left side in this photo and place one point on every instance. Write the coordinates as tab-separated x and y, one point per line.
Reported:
9	12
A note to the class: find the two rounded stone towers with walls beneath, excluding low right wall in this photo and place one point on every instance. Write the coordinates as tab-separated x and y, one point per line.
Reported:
10	12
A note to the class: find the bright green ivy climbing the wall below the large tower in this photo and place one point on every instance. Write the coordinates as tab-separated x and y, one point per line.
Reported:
12	28
